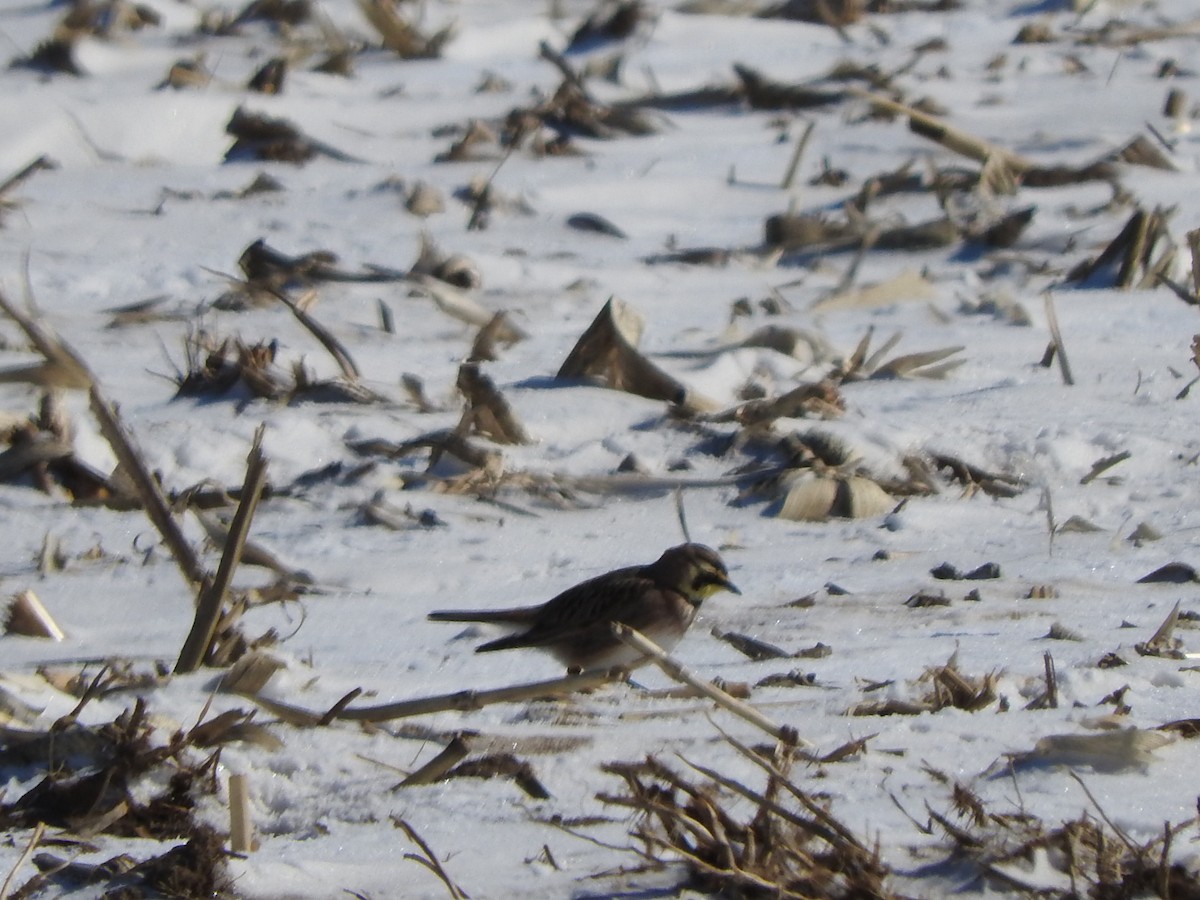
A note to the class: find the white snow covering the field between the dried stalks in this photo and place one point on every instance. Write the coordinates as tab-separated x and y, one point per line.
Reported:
135	212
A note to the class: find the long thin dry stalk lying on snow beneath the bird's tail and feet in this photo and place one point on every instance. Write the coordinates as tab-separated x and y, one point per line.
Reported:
463	701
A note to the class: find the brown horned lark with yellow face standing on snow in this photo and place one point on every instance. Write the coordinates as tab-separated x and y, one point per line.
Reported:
659	599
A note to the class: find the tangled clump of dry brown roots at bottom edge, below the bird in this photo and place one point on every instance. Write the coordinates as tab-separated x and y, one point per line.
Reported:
789	847
